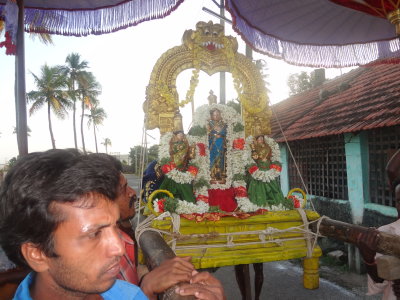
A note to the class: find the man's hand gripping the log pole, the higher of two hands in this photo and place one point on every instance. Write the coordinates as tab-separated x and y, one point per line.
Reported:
166	275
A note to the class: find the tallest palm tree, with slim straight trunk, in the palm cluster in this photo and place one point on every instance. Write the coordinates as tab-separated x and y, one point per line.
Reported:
75	69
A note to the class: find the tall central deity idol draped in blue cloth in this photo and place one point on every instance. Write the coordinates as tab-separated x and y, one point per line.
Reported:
217	130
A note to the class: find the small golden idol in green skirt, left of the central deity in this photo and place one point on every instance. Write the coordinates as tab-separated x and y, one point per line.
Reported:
180	153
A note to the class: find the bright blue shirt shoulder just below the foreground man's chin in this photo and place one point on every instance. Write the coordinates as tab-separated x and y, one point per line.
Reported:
124	290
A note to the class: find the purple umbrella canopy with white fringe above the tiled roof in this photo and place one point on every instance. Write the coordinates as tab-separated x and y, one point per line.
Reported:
317	33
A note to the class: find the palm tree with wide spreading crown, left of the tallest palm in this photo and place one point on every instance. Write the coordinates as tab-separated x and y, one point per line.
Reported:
51	87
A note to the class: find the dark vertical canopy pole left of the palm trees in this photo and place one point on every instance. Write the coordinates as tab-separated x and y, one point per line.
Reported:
20	89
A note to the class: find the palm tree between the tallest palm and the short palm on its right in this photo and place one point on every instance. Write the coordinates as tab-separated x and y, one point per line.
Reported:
88	90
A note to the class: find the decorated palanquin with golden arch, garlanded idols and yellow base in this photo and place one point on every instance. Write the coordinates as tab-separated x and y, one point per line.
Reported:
219	199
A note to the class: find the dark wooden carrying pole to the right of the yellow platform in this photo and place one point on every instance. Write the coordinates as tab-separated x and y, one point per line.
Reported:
388	244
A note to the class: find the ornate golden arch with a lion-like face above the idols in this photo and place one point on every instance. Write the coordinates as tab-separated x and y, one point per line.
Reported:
209	50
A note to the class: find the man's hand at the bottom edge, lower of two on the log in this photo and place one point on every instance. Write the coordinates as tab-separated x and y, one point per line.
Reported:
203	286
